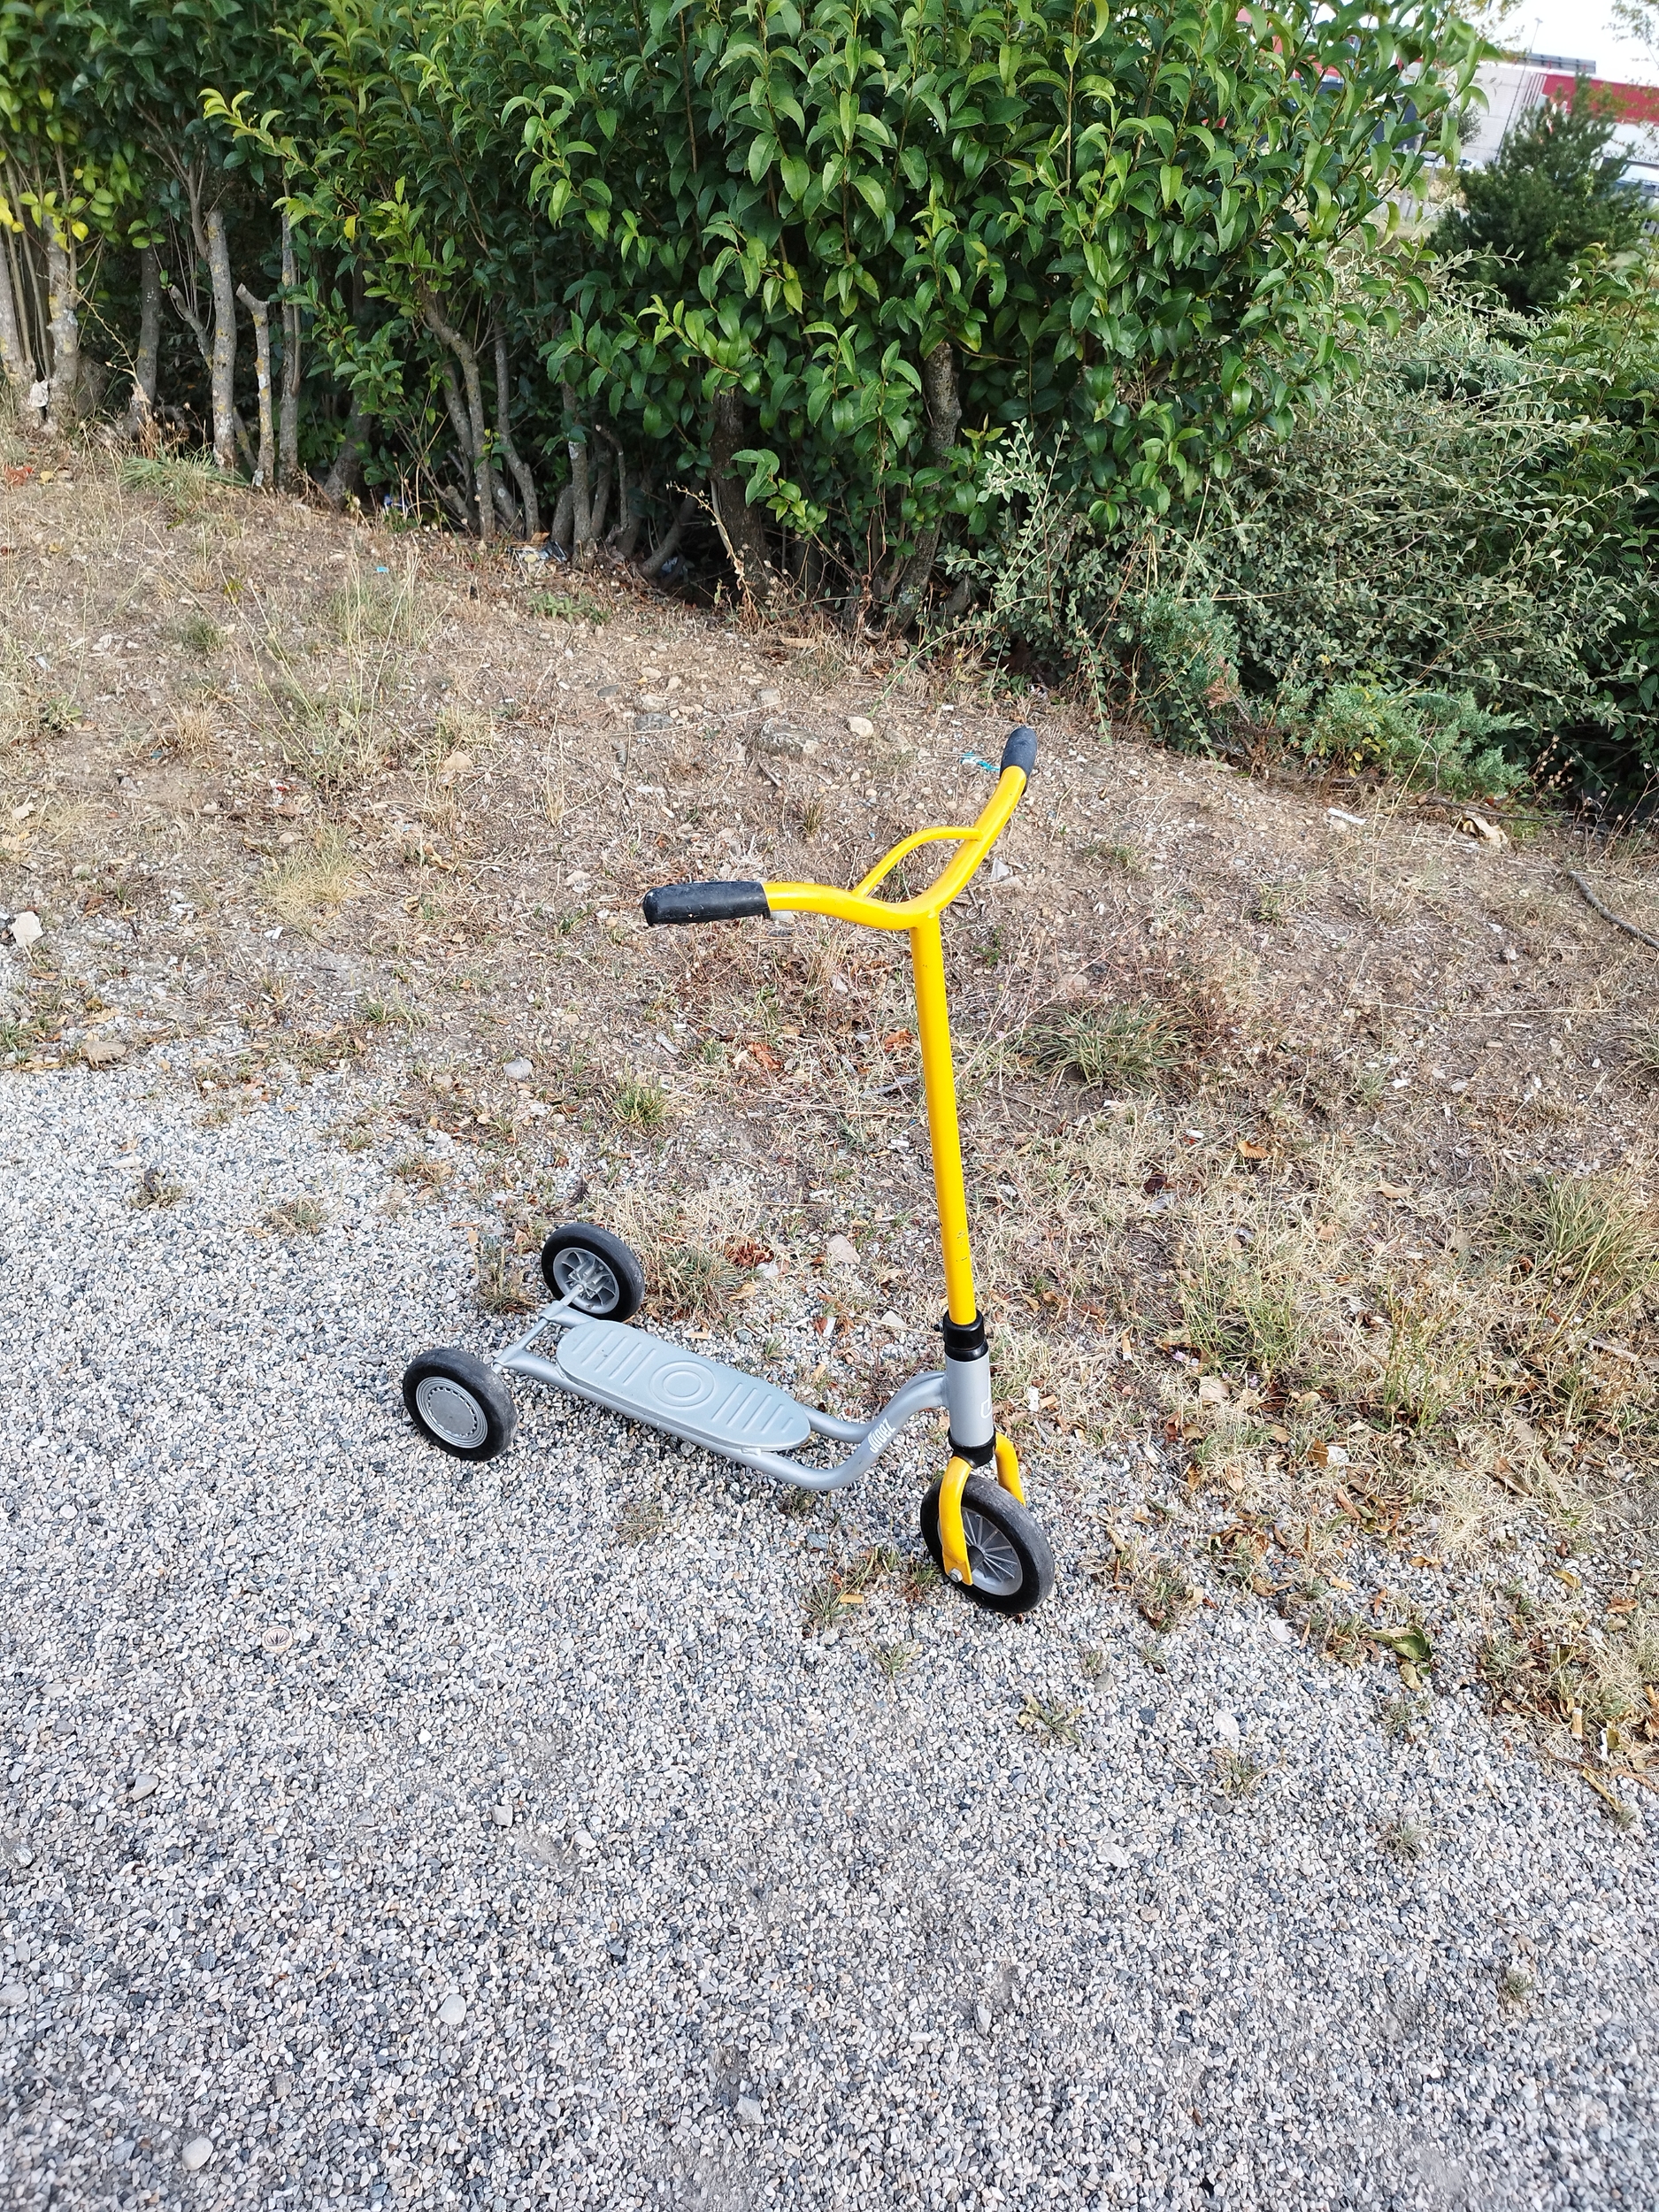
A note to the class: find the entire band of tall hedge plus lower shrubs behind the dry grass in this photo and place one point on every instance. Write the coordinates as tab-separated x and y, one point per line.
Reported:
1076	313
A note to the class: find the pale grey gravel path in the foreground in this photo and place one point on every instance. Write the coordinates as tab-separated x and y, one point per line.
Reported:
384	1833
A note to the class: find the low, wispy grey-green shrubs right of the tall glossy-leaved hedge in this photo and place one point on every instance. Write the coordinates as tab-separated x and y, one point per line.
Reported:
1446	570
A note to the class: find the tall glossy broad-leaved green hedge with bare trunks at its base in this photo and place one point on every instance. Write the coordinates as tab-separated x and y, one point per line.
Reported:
820	255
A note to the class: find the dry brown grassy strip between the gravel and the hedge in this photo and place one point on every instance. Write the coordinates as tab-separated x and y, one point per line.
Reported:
1264	1227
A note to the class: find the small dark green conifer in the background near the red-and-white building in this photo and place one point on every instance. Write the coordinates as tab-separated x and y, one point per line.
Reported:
1552	194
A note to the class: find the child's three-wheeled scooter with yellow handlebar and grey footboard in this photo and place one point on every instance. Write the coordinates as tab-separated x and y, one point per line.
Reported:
974	1521
